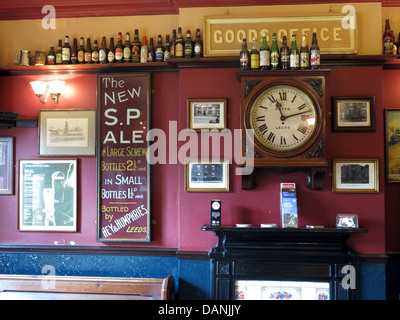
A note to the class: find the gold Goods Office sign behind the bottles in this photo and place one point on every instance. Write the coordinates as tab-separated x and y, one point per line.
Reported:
336	34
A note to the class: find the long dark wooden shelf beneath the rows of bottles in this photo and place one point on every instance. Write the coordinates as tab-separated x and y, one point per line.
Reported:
174	64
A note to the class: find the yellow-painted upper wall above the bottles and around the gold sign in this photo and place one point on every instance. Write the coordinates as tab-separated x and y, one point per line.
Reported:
29	34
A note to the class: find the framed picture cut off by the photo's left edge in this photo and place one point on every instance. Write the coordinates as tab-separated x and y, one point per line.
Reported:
6	165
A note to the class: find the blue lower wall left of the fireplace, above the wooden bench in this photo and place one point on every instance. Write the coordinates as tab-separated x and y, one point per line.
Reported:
192	277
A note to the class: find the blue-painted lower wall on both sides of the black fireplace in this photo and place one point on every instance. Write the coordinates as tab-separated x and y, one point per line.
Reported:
192	277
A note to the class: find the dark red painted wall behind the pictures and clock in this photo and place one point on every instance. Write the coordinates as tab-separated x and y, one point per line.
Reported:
178	215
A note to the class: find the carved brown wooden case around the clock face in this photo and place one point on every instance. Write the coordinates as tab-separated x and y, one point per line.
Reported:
309	158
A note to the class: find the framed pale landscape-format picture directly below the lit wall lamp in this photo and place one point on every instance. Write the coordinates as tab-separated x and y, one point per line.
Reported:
67	133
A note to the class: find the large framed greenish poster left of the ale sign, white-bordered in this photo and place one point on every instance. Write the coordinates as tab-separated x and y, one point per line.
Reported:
47	195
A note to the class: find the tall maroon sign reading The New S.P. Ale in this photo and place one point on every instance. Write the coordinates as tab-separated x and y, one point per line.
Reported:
123	209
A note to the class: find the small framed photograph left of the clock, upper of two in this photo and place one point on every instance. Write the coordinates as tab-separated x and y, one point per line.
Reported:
207	114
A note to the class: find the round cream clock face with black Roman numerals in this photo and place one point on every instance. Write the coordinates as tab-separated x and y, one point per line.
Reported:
284	118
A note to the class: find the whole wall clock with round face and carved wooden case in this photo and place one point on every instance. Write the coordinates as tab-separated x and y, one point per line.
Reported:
286	111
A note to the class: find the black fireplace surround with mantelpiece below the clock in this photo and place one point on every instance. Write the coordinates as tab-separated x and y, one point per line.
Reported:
287	254
